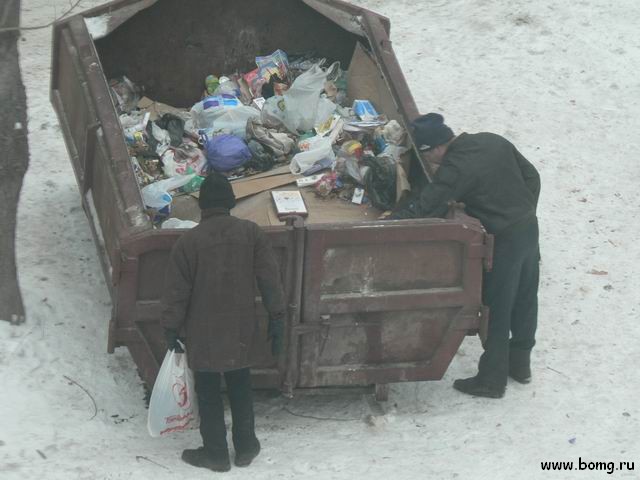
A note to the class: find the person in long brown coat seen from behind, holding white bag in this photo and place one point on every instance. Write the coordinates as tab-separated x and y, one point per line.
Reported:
209	295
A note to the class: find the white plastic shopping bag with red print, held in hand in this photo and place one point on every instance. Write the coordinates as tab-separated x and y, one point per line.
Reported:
174	405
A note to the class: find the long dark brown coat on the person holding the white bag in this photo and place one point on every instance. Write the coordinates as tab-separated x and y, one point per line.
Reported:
209	289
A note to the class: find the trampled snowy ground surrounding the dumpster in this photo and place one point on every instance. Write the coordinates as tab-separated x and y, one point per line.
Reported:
557	78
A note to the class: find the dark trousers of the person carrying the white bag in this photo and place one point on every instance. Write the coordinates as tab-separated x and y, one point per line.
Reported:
212	426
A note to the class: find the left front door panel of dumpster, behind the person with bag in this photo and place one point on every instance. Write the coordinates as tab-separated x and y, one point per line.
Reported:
139	306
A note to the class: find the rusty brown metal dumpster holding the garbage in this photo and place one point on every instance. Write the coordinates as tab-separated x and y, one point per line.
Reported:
370	303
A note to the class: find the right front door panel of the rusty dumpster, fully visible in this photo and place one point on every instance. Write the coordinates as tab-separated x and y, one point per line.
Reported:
388	302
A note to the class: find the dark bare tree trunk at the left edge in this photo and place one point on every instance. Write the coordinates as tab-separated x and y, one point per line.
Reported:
14	158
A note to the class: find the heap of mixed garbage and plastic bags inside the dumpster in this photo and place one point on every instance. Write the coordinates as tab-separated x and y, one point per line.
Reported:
287	111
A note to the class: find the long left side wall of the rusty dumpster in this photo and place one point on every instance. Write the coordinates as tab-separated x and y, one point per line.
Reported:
94	142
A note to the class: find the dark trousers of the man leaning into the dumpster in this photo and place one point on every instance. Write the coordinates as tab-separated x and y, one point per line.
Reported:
511	293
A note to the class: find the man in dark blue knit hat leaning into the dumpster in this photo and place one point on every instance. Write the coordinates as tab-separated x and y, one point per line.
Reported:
500	188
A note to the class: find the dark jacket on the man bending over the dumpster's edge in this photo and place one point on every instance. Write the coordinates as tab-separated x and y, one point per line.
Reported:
486	173
